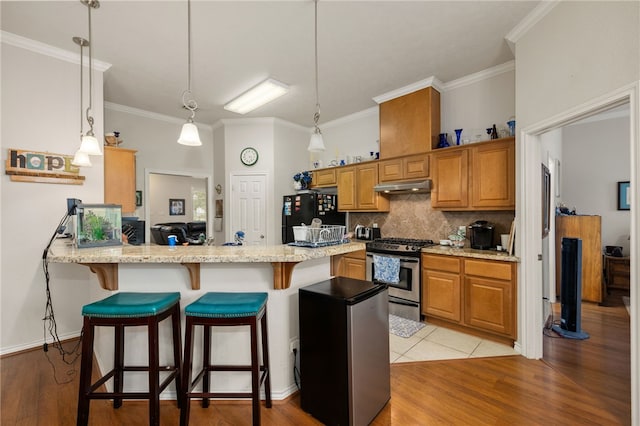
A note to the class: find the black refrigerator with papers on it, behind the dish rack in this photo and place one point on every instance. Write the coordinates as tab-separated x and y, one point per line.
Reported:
304	207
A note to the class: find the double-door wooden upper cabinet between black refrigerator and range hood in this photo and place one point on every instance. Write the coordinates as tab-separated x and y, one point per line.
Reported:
355	189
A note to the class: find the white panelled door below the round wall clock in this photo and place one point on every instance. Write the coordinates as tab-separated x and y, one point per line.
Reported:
249	208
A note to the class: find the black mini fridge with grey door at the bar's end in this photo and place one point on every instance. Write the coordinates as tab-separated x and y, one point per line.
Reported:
344	350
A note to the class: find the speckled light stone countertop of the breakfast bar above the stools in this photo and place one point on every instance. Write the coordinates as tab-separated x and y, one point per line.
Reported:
61	252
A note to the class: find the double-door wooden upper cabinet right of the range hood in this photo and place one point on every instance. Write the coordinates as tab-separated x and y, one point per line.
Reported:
480	176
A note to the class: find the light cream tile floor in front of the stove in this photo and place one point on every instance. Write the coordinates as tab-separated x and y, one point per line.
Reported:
437	343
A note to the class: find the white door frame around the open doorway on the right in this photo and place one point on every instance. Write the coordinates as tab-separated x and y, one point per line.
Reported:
531	301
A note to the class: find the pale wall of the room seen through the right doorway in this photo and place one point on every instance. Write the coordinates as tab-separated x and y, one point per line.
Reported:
595	158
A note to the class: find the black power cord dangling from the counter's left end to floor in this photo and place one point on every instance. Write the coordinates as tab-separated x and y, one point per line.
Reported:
49	320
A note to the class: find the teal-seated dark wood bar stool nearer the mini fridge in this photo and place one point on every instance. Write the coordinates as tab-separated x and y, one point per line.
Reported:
226	309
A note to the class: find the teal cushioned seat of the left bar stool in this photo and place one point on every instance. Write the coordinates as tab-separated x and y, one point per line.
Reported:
124	305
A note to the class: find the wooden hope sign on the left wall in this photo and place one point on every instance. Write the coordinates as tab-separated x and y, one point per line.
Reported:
43	167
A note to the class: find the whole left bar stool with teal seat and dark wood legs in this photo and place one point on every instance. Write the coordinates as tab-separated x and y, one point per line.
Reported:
124	310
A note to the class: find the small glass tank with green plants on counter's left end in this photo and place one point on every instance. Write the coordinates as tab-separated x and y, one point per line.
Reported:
98	225
